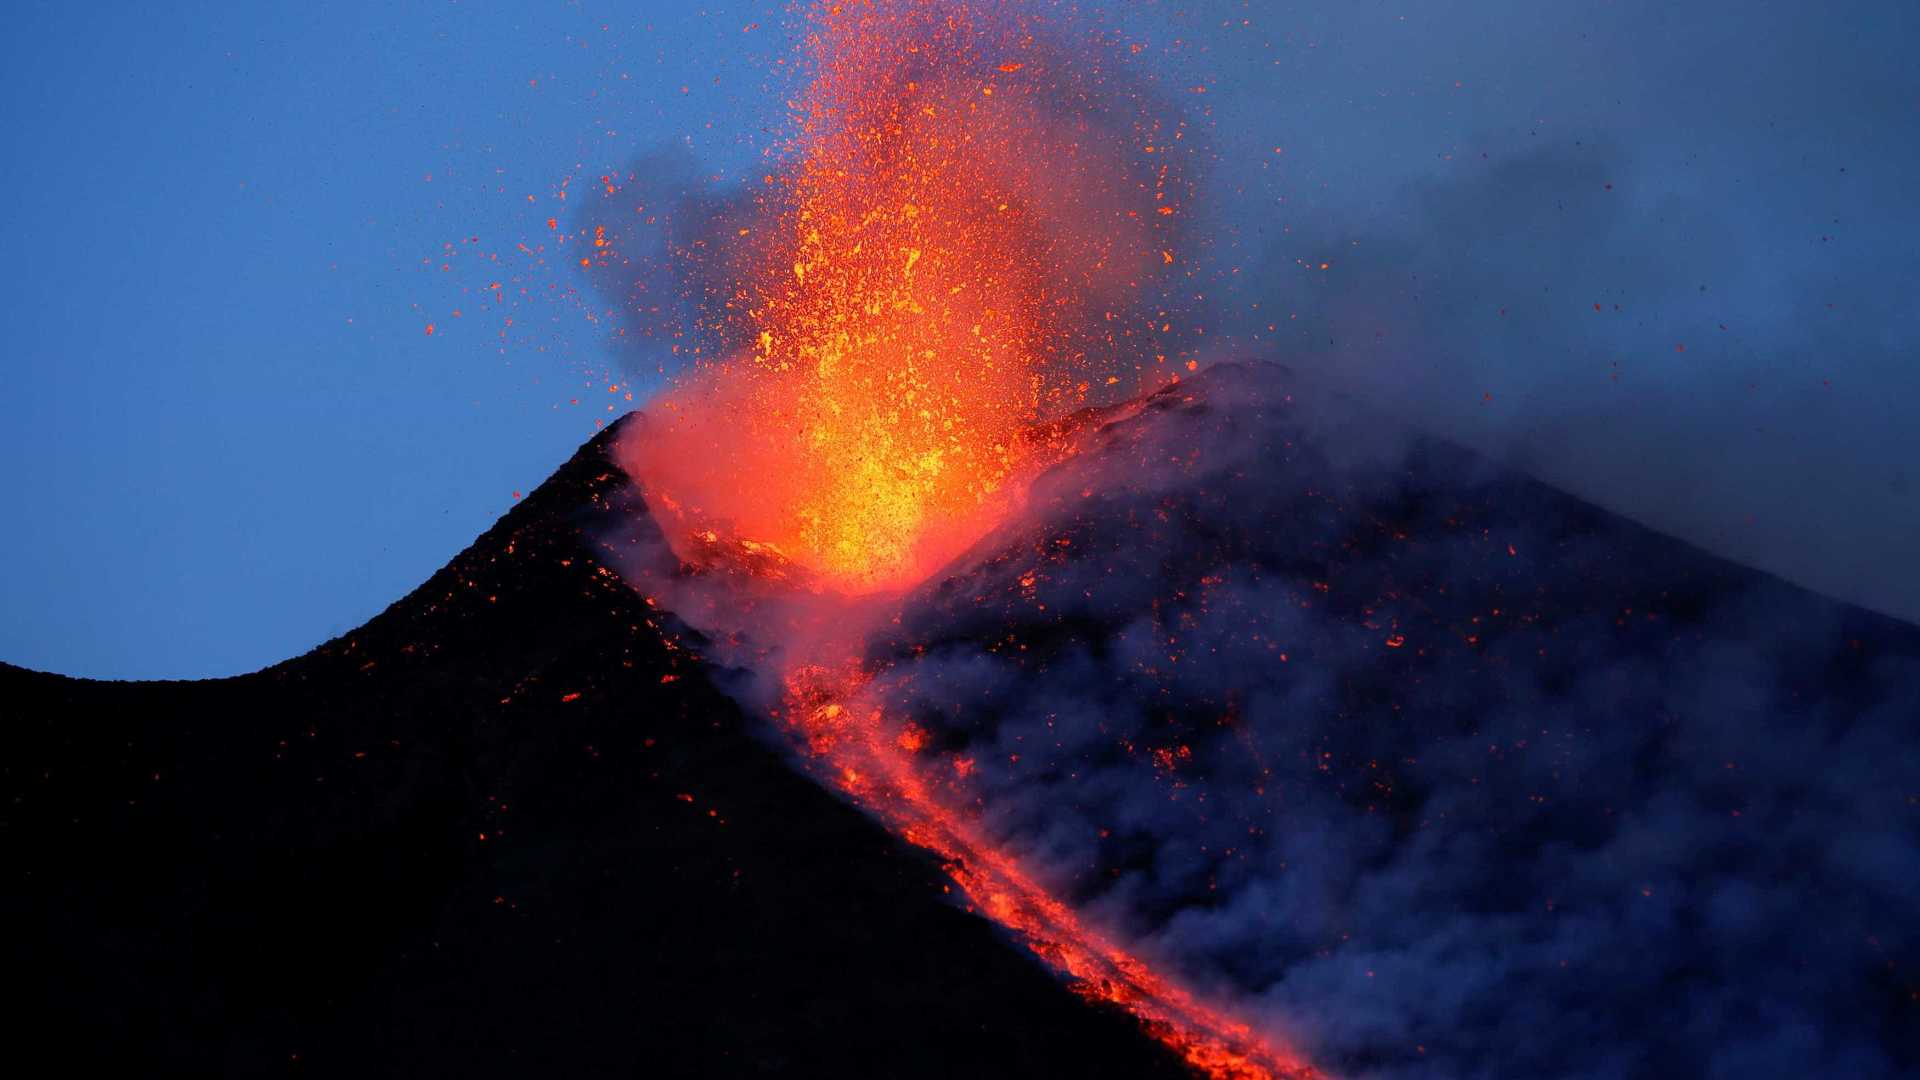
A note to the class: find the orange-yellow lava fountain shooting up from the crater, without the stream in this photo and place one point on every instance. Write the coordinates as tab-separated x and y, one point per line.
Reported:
915	293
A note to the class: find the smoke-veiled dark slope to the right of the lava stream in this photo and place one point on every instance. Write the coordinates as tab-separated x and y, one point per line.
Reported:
1420	764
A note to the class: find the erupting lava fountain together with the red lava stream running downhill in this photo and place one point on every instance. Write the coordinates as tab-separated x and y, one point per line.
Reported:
955	257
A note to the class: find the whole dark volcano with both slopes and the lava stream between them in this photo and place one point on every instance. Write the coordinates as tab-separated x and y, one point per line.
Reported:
1262	727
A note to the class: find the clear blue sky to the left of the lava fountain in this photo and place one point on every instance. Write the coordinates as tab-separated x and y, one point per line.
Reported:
229	435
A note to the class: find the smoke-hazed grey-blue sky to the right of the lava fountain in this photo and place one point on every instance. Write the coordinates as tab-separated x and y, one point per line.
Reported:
1429	205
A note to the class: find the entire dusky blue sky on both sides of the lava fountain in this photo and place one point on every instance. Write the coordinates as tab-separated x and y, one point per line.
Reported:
231	435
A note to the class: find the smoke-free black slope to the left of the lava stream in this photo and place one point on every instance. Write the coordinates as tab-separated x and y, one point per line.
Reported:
502	829
